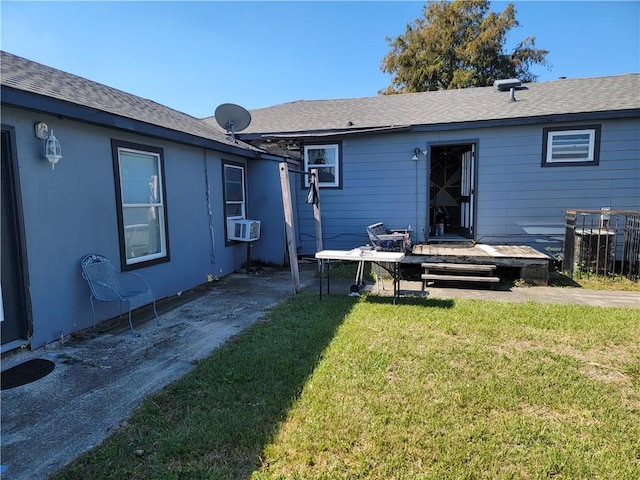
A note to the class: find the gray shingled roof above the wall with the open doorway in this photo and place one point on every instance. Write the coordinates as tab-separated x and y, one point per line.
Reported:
598	97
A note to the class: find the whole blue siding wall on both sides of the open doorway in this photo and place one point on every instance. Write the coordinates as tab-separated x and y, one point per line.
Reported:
518	200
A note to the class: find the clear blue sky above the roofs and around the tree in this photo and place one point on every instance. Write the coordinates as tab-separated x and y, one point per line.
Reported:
194	56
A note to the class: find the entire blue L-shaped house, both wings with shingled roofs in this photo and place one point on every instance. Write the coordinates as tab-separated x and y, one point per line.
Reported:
156	190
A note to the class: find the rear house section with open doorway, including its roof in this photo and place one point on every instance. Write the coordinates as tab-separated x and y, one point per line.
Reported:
497	165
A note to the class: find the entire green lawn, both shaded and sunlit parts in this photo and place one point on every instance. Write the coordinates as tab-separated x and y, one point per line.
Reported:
352	388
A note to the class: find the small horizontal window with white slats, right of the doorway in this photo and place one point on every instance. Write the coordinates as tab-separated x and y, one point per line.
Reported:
571	146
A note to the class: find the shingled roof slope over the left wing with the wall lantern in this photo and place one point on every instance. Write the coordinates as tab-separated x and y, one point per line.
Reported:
26	76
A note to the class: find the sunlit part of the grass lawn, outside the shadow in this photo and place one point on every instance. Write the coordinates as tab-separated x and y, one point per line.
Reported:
477	390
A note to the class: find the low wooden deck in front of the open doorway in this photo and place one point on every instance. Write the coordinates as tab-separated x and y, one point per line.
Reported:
533	264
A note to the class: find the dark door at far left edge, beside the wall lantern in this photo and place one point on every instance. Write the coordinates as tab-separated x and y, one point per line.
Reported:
13	317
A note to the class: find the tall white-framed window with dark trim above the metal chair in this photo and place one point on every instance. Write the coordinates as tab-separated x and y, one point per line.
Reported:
141	204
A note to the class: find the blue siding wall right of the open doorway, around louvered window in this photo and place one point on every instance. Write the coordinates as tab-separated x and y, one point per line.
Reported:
519	201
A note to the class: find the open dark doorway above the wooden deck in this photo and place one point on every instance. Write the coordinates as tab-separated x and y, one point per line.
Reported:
452	191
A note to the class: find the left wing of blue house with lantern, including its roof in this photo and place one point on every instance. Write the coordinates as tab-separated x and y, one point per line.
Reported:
147	186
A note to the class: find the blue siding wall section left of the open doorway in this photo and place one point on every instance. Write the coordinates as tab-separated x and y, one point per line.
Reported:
379	185
